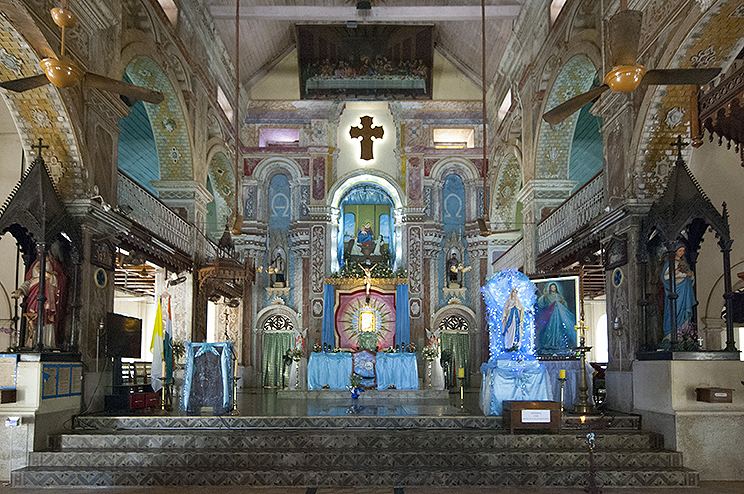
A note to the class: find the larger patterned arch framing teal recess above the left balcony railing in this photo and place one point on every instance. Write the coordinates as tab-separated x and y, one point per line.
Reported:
168	119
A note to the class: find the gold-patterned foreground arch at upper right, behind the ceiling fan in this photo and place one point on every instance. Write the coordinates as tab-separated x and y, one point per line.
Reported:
712	39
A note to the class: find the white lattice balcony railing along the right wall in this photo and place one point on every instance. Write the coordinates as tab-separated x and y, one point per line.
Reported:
583	206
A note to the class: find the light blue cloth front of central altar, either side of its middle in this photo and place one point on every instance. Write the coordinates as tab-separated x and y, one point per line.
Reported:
334	370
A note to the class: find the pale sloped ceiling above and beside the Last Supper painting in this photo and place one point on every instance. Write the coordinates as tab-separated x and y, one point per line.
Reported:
268	31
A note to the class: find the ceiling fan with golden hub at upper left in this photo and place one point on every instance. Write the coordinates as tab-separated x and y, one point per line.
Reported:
63	72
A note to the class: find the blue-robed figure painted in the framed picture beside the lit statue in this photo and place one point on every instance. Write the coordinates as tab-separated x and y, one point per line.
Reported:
555	322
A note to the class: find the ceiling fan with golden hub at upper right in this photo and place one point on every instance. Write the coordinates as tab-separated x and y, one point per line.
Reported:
626	73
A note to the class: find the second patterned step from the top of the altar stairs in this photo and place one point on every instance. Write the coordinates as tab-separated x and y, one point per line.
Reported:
369	440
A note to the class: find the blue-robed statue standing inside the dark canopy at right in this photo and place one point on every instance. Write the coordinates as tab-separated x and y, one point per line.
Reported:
685	289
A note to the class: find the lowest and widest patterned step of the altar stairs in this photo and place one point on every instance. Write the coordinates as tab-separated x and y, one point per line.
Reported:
126	476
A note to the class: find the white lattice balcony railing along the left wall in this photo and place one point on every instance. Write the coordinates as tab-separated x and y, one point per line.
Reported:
150	213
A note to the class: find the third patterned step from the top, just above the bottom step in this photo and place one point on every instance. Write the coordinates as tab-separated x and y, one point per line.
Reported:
323	460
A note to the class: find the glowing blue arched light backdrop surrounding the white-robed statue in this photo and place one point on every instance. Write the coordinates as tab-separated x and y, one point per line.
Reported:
496	291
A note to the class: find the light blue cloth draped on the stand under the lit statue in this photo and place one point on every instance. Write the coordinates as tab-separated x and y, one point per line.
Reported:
510	380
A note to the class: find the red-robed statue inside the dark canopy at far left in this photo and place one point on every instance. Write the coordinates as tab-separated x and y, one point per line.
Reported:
54	307
